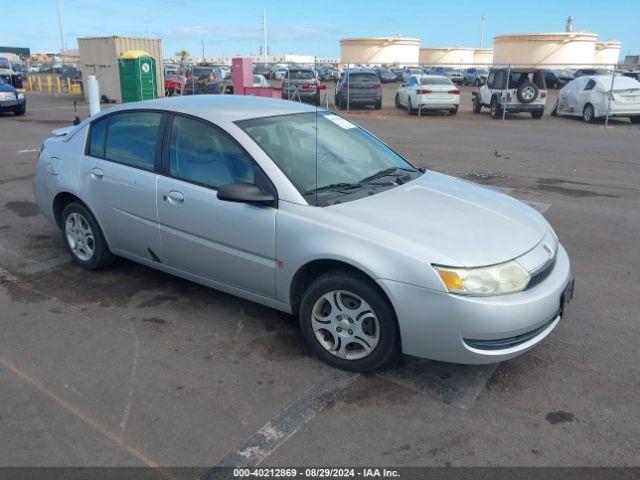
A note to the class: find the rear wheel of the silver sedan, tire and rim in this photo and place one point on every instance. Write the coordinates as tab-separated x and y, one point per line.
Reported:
84	239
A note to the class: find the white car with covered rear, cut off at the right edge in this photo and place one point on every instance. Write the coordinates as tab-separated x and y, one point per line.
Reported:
591	96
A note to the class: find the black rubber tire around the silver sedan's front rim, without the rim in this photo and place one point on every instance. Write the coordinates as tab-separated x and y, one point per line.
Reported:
358	284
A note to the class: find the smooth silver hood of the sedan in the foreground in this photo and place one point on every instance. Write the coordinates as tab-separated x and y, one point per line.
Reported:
446	218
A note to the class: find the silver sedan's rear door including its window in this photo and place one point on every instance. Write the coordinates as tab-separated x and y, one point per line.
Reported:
119	180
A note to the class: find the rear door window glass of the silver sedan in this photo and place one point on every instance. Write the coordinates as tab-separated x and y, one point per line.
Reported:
131	139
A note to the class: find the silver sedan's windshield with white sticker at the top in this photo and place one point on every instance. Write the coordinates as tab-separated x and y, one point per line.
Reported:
328	158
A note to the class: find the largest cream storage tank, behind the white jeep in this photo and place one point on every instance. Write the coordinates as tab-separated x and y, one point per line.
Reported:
560	49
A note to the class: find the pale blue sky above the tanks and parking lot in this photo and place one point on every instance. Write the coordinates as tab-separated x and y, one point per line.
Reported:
314	28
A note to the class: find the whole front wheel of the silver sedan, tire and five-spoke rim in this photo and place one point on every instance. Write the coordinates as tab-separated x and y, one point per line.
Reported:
348	322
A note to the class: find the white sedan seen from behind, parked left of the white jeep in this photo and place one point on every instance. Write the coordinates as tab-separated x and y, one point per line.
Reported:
428	92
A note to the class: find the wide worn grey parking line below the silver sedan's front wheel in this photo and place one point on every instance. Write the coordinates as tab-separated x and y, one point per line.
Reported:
282	427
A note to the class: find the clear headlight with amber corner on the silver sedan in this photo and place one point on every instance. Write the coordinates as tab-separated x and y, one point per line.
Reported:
499	279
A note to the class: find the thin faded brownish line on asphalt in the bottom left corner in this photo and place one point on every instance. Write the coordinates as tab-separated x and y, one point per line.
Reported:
88	420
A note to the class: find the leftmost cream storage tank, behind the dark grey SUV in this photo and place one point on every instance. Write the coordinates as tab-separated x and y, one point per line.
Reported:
378	51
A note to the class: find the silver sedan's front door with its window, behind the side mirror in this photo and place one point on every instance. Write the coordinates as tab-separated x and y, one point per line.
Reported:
231	243
